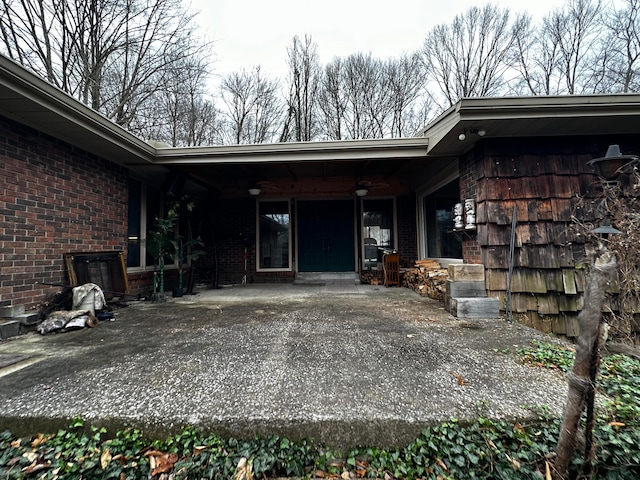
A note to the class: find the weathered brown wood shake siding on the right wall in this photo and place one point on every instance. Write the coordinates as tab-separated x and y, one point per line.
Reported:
549	273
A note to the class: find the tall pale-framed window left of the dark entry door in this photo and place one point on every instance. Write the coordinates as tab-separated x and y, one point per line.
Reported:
274	235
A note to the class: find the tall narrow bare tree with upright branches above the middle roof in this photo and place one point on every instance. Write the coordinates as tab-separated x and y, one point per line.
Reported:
304	81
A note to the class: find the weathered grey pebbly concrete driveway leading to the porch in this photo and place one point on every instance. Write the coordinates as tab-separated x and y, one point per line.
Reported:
344	364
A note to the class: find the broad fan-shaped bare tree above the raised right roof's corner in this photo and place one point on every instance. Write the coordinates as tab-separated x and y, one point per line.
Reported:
470	57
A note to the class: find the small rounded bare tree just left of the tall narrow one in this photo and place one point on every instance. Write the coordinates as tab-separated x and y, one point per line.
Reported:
253	107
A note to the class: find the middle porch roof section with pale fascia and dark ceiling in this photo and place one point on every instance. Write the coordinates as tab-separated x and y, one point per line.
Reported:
386	167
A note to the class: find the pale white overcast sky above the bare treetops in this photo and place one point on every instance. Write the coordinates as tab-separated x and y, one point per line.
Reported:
247	33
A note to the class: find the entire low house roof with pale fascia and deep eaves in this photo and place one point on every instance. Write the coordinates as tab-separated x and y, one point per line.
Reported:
400	162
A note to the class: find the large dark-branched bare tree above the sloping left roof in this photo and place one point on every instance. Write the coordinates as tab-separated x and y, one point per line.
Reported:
112	55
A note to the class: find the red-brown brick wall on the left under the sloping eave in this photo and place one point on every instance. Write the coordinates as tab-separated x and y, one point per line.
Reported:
54	199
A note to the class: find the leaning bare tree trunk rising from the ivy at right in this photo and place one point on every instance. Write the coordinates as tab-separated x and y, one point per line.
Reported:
582	376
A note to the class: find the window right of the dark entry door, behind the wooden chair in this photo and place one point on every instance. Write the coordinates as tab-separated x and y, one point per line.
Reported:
378	230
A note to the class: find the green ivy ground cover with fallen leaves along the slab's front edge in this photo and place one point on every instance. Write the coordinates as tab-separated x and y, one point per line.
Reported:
483	449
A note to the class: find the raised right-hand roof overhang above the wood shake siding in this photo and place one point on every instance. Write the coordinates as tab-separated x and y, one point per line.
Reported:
538	116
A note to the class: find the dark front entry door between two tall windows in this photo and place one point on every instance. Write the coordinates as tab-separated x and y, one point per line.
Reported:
325	236
